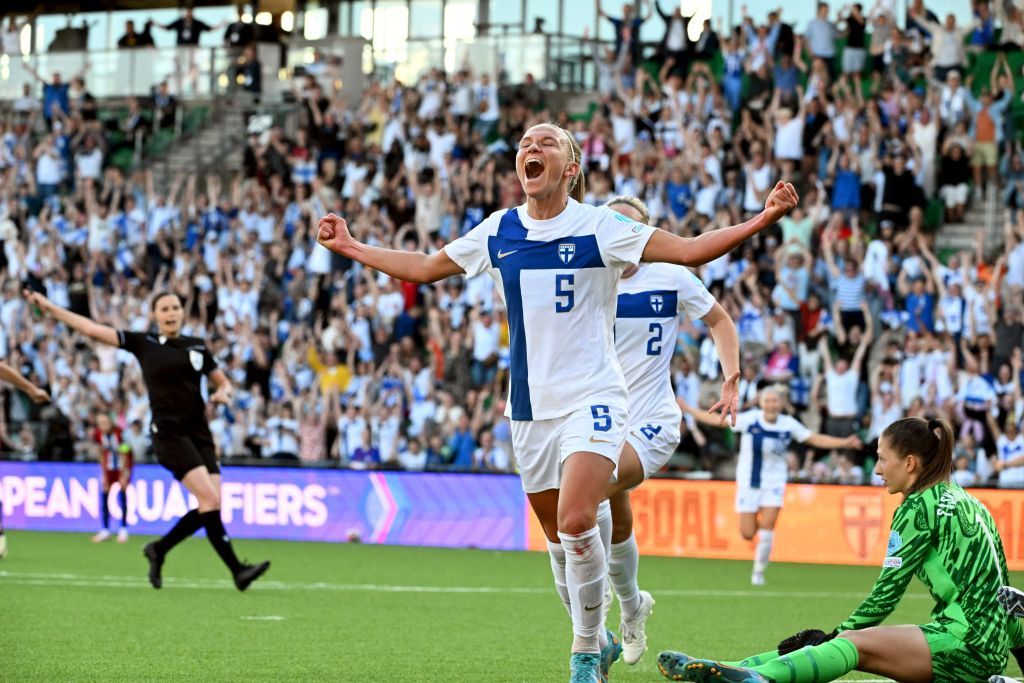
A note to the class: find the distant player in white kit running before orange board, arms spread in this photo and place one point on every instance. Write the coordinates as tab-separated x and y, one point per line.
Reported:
761	473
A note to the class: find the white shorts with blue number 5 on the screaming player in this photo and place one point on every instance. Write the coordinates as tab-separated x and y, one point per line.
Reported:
540	447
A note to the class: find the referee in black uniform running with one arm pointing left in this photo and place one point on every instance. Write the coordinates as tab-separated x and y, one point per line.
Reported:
173	367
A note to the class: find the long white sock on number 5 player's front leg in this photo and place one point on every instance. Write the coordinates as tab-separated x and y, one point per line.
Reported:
586	572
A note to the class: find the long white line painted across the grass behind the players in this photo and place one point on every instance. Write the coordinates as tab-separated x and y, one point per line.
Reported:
63	579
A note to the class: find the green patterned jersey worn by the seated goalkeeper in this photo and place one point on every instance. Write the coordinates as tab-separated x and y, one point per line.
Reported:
949	540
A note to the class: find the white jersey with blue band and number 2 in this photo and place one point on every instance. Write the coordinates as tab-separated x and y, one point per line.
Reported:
647	327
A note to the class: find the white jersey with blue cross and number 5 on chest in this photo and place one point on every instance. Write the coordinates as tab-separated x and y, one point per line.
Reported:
560	279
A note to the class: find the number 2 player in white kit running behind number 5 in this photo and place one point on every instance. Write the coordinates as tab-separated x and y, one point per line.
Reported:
652	298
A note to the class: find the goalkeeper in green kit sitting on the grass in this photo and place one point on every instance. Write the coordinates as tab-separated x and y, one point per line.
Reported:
941	535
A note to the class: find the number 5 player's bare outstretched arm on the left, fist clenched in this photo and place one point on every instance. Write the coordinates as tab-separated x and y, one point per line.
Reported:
411	267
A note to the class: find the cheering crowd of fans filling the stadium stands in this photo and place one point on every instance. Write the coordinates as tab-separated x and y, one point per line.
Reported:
847	305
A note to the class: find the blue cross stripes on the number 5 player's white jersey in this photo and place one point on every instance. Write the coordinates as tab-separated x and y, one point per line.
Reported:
513	253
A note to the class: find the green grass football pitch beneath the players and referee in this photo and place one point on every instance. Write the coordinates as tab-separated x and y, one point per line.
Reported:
72	611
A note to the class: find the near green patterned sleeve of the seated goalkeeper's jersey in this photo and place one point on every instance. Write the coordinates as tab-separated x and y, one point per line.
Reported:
910	543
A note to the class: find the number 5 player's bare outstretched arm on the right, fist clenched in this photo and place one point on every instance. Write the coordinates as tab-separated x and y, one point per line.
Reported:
667	248
